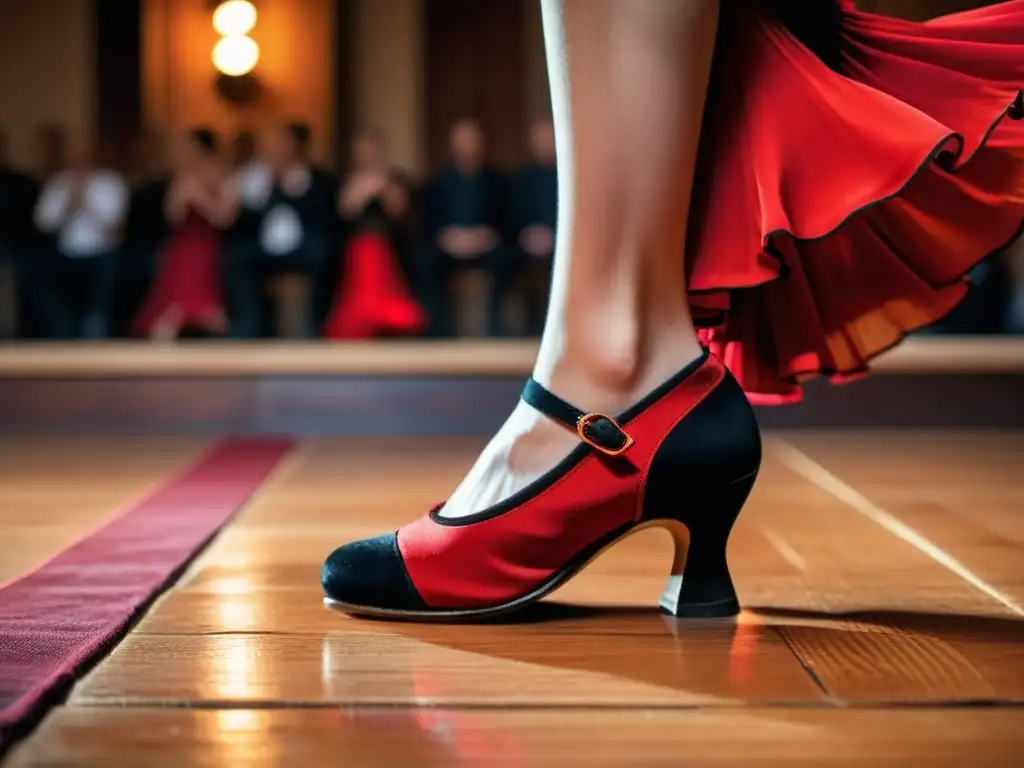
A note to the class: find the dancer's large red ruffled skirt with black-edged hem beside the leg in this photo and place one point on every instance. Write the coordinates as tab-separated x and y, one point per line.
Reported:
834	214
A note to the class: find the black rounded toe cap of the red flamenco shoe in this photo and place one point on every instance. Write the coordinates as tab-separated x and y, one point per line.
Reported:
371	574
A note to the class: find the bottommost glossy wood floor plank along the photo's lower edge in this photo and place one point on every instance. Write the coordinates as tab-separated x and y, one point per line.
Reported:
159	739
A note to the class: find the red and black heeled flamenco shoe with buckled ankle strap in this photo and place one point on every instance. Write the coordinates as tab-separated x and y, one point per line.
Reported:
684	459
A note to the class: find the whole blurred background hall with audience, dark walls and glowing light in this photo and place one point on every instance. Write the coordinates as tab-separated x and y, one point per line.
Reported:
339	169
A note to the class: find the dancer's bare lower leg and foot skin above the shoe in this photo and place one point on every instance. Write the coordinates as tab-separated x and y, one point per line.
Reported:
628	81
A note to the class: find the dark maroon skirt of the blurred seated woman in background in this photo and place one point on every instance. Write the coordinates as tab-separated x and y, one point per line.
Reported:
188	280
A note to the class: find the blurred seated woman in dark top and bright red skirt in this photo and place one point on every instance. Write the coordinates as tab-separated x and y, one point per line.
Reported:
373	300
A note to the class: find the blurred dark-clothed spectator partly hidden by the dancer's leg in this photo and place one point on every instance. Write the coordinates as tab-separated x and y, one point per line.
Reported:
535	206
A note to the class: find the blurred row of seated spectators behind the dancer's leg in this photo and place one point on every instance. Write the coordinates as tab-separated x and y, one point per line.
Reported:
209	241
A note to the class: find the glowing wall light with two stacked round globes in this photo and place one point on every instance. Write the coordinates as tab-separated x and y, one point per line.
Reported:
236	55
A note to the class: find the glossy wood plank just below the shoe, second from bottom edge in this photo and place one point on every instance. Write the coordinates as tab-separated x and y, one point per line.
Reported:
647	663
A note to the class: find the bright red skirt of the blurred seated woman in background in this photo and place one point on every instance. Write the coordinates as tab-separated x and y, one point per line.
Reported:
373	300
